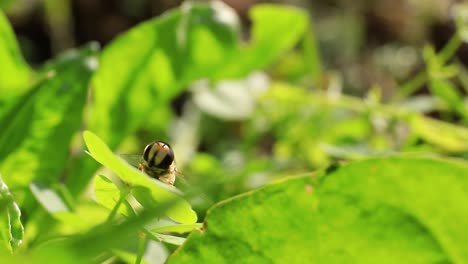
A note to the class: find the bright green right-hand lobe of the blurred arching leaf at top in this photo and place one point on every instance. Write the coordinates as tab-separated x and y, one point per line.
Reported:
276	29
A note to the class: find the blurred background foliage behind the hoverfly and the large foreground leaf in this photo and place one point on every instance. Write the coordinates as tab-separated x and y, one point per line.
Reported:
245	95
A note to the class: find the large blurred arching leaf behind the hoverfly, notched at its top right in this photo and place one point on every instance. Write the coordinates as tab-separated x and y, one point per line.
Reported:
171	54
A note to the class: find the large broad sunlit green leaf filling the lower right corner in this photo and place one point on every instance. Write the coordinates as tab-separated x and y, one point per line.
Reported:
388	210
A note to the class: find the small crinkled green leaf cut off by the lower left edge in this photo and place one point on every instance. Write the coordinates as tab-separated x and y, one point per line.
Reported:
11	228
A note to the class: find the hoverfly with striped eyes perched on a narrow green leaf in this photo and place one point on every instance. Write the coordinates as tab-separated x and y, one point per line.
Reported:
157	162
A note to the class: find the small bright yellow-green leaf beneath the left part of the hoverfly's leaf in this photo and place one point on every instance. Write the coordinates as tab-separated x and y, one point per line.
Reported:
108	195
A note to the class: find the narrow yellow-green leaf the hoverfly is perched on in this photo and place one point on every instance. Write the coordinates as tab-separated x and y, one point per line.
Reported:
154	190
